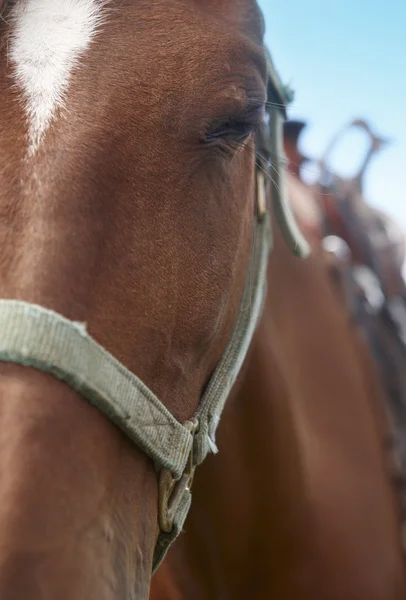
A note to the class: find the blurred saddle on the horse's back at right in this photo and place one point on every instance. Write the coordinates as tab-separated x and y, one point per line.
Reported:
369	250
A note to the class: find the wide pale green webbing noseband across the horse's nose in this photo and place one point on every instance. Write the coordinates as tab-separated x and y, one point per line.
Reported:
37	337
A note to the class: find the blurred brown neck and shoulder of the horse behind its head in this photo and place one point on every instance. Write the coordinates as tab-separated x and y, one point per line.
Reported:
298	504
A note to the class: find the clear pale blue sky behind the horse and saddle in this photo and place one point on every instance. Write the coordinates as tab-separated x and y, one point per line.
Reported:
347	59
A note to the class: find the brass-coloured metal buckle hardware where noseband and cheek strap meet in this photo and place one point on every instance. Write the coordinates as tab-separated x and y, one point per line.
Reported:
171	491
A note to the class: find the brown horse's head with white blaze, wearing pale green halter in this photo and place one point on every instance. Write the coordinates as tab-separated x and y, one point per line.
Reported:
127	216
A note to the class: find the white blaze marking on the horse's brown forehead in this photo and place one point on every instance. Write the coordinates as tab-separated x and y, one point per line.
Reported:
48	37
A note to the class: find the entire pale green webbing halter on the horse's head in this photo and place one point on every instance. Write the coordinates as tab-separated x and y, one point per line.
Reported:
34	336
